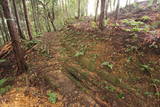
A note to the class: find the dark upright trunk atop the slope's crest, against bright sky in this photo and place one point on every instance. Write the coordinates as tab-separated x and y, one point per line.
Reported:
101	19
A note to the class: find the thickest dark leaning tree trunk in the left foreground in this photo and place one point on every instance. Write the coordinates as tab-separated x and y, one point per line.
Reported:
14	38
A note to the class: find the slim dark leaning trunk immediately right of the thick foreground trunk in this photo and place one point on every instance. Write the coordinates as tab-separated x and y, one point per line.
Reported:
17	19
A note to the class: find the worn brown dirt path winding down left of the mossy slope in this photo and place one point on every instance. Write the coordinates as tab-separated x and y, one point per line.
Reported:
52	70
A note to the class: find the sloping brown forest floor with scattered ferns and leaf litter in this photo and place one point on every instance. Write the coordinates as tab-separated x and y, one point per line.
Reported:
87	67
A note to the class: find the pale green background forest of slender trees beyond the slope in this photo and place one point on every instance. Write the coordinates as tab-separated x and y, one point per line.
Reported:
46	16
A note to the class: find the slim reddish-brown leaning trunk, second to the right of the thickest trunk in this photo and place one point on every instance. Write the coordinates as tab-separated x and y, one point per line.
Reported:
26	18
